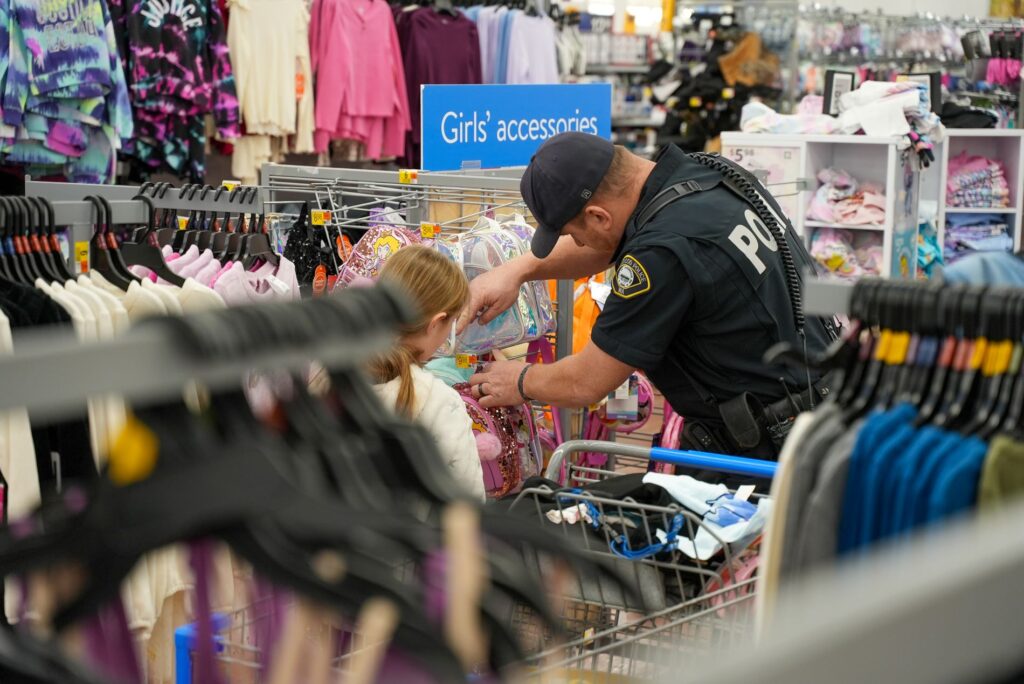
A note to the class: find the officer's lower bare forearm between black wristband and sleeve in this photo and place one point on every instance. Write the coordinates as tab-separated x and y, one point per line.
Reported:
577	381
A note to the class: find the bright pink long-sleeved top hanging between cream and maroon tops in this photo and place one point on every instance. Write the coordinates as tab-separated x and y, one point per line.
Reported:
361	82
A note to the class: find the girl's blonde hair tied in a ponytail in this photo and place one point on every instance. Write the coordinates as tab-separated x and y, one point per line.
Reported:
436	285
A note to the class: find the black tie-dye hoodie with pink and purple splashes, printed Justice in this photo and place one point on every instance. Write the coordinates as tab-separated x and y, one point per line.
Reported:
177	59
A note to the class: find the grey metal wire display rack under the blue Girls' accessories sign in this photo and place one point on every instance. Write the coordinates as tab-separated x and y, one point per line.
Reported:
284	184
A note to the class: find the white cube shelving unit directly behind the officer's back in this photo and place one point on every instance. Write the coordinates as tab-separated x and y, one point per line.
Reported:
793	164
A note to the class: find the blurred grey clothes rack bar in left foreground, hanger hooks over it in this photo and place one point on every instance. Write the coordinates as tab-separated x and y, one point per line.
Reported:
53	375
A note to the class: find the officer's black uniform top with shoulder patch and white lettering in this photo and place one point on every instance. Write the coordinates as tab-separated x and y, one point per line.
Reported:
699	295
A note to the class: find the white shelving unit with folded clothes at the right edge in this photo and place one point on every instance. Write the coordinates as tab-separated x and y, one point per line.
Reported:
1007	146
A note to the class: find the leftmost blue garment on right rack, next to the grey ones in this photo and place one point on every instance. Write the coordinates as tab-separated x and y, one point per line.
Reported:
876	430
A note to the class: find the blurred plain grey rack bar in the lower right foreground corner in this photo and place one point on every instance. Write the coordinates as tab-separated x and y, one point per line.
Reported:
940	617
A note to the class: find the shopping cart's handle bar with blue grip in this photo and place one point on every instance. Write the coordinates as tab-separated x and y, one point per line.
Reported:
718	462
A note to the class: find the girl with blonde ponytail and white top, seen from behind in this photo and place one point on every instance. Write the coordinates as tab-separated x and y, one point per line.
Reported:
439	288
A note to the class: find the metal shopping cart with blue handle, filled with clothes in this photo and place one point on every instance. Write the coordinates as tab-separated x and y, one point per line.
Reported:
680	608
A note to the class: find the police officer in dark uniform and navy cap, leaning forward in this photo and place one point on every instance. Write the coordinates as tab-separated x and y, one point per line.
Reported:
702	289
